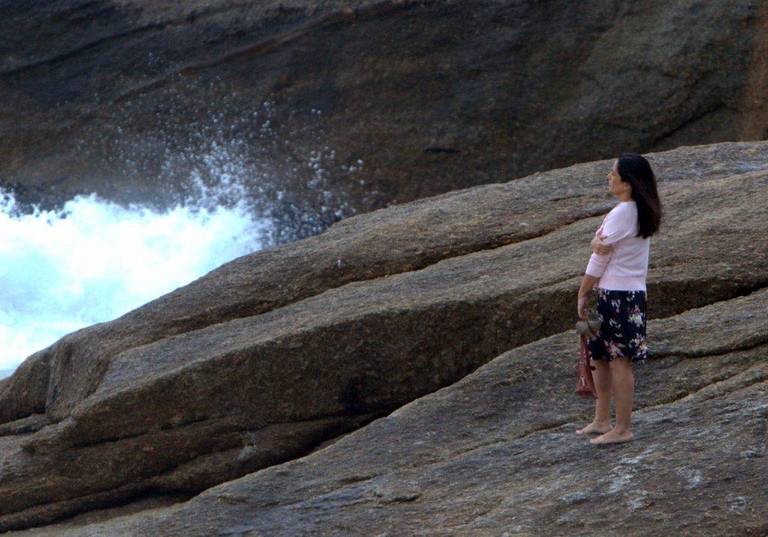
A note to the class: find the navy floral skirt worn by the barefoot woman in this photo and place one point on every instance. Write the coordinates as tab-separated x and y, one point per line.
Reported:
622	329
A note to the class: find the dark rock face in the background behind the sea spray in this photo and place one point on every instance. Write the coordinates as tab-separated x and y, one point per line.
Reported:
325	109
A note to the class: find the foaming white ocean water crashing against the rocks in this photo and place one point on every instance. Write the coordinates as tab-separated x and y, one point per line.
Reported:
94	260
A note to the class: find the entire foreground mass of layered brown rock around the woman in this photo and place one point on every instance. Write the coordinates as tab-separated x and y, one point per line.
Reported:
276	354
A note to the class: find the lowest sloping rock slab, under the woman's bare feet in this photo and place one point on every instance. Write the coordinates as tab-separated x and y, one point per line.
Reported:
496	453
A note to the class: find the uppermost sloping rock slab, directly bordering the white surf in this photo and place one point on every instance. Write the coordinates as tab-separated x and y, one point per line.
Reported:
398	239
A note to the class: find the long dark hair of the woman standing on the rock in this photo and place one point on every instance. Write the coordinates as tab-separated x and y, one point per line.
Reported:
636	171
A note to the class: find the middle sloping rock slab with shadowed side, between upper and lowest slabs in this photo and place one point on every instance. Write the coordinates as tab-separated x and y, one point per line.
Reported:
185	412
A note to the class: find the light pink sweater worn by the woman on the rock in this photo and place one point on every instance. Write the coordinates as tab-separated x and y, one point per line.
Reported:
626	266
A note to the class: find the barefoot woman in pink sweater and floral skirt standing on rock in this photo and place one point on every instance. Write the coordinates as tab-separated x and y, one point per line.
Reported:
617	269
